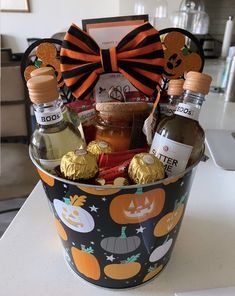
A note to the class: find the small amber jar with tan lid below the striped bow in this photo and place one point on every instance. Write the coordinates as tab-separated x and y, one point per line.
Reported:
114	123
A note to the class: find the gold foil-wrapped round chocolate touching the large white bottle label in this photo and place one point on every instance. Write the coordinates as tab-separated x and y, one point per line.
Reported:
145	168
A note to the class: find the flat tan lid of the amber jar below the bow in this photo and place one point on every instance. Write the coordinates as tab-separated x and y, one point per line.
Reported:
121	107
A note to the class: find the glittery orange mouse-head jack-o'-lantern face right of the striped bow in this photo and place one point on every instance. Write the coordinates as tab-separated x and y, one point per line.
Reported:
178	59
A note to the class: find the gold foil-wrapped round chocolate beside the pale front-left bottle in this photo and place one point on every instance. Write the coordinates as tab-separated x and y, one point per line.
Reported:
79	164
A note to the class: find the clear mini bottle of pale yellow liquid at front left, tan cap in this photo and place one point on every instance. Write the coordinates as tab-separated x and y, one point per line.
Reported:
53	136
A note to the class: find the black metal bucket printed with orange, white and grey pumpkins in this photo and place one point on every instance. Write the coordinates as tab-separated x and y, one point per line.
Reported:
118	237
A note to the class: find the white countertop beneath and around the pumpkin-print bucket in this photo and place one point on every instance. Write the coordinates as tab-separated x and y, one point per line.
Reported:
31	257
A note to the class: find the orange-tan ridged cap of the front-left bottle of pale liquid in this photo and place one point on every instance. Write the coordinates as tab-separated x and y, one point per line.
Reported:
42	89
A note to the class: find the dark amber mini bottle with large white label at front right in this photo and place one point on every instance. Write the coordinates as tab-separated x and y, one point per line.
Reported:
179	139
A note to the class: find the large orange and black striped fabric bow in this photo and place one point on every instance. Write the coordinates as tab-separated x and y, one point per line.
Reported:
138	56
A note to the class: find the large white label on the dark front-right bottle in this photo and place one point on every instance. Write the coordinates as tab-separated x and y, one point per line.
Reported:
173	155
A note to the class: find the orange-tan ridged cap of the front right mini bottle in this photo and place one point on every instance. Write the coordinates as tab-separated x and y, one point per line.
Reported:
197	82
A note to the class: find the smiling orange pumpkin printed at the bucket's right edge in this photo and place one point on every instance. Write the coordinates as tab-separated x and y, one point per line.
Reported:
168	222
